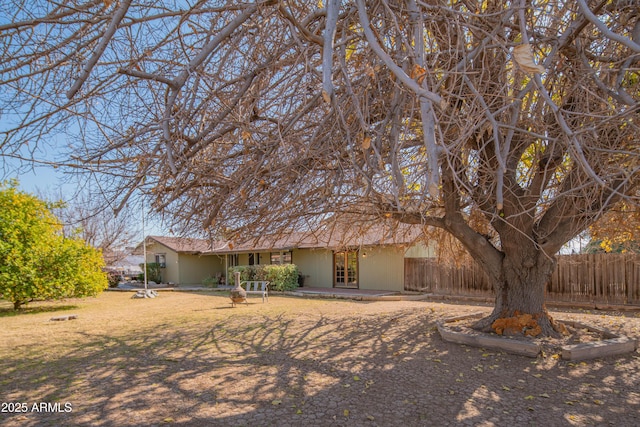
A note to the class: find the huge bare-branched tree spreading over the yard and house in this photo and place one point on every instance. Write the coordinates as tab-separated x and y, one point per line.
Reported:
511	125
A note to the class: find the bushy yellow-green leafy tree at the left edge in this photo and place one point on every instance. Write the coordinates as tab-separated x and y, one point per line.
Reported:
36	261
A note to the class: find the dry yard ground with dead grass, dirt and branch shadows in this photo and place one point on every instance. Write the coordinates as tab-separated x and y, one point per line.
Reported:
189	359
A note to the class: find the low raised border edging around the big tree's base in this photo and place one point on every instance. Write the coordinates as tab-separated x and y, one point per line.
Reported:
610	346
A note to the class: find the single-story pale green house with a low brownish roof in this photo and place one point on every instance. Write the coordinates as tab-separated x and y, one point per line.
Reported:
360	260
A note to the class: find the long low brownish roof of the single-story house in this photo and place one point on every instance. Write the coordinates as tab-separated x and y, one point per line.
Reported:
334	238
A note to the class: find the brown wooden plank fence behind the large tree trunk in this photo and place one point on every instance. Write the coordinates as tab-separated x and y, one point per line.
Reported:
592	278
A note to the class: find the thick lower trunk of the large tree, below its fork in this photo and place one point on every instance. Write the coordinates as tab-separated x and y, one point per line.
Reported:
520	296
